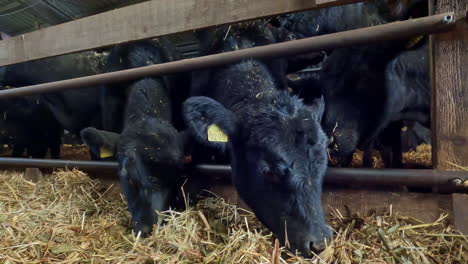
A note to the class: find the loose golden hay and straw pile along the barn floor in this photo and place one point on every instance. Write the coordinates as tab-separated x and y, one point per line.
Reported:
70	218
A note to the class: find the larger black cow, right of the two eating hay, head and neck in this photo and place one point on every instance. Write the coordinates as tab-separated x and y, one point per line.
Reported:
276	144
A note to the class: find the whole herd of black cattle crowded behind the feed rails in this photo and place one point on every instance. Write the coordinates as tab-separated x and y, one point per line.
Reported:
276	131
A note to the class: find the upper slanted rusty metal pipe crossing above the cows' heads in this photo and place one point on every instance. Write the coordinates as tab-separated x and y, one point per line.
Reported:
390	31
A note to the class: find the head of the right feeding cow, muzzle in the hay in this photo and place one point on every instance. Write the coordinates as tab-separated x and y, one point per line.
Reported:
278	162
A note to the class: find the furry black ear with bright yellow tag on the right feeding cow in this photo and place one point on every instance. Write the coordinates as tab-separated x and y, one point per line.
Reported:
209	121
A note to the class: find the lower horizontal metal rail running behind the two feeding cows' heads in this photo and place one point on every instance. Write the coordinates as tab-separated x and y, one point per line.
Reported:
446	181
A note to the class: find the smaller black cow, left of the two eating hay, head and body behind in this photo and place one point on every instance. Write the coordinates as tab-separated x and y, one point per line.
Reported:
150	151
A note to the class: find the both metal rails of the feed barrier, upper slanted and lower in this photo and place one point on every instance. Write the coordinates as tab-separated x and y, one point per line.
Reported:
447	181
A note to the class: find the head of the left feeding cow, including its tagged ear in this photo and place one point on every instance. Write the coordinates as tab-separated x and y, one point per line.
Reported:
150	156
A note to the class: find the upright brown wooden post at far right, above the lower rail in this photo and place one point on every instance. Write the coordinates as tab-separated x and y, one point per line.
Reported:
450	91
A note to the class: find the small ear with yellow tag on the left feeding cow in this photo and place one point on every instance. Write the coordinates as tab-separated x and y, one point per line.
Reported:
101	143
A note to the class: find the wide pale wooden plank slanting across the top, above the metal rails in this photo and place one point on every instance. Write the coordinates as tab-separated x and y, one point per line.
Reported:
142	21
